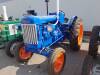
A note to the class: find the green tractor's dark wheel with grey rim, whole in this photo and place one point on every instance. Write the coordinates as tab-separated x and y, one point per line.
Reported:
10	46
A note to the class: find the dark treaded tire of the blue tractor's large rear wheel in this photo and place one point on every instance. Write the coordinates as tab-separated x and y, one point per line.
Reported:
74	37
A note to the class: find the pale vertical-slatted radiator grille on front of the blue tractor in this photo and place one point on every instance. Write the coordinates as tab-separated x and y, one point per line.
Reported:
30	34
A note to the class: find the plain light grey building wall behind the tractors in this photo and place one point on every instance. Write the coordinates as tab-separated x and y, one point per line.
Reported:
88	10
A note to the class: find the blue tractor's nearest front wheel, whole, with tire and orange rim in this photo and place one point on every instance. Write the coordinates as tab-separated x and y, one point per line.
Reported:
57	61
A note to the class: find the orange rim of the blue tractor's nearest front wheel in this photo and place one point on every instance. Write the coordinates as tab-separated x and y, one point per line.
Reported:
59	62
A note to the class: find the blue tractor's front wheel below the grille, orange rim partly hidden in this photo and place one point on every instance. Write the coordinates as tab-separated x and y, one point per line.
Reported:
22	55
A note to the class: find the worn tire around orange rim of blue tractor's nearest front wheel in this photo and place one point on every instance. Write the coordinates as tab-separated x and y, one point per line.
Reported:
51	60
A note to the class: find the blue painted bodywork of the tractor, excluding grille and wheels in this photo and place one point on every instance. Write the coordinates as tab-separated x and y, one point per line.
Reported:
47	38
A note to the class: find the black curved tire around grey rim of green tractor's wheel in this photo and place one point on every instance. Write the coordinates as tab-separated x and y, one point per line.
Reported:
8	47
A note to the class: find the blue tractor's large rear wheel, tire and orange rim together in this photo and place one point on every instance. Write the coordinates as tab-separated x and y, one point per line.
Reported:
77	35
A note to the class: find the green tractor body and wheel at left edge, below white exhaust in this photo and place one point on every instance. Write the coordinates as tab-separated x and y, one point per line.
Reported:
9	35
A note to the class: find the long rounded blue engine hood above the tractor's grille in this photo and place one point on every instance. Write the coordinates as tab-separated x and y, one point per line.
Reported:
38	19
